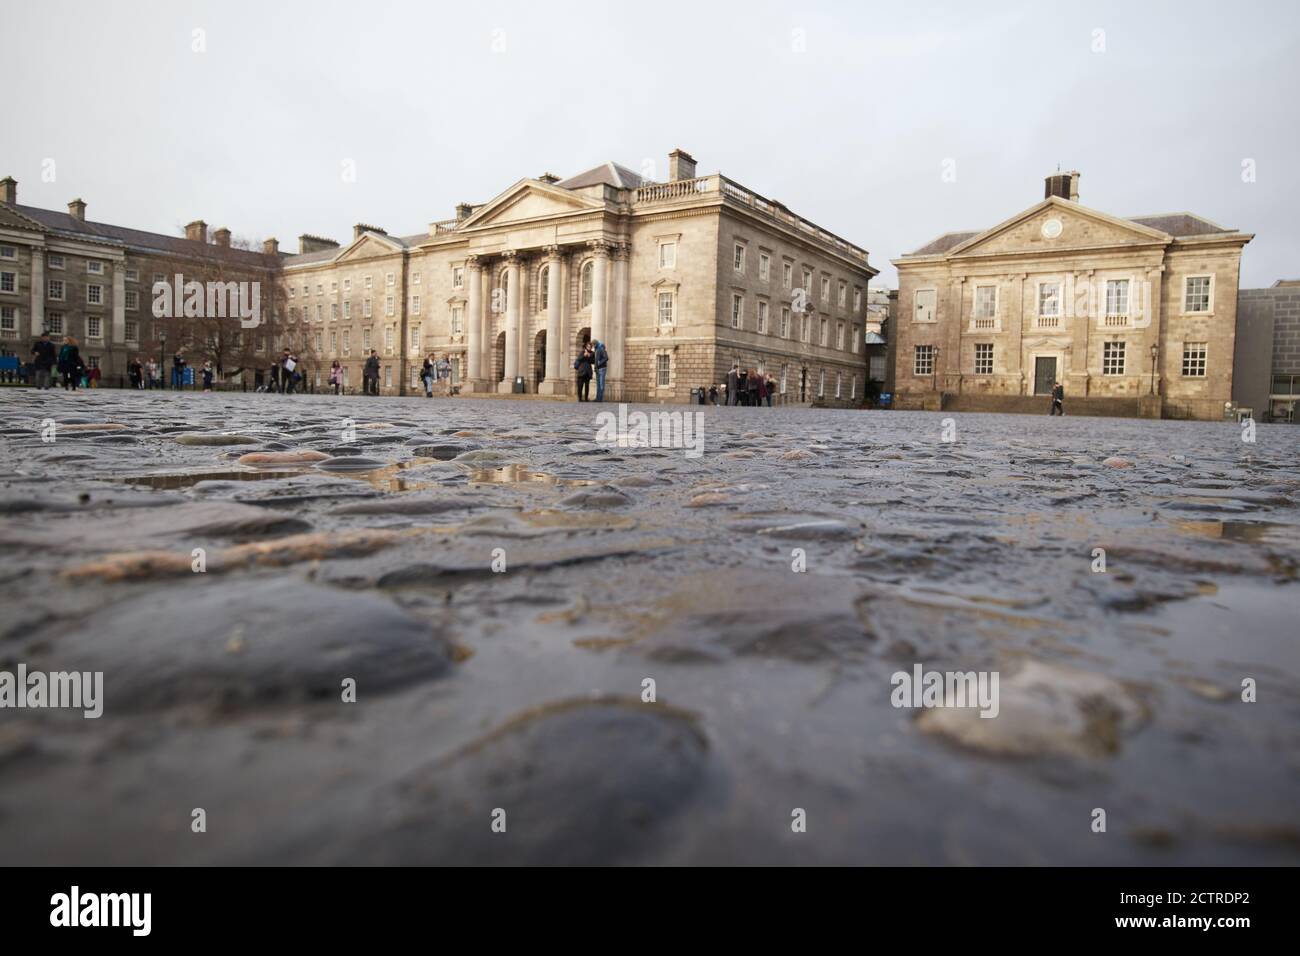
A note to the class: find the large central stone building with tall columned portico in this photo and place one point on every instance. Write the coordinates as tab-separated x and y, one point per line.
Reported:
681	279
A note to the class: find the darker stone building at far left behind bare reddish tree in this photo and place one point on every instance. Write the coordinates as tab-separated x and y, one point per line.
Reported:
71	276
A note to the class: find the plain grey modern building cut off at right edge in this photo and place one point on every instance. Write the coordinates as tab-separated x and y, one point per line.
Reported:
1267	375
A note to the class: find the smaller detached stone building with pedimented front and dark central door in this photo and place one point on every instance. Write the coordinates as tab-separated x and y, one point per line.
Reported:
1132	315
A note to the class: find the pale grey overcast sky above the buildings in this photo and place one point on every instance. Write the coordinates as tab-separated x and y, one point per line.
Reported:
847	113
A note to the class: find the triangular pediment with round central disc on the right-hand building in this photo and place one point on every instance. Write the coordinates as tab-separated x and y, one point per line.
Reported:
1080	228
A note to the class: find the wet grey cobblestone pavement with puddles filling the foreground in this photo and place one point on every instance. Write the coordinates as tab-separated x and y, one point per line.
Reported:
522	690
